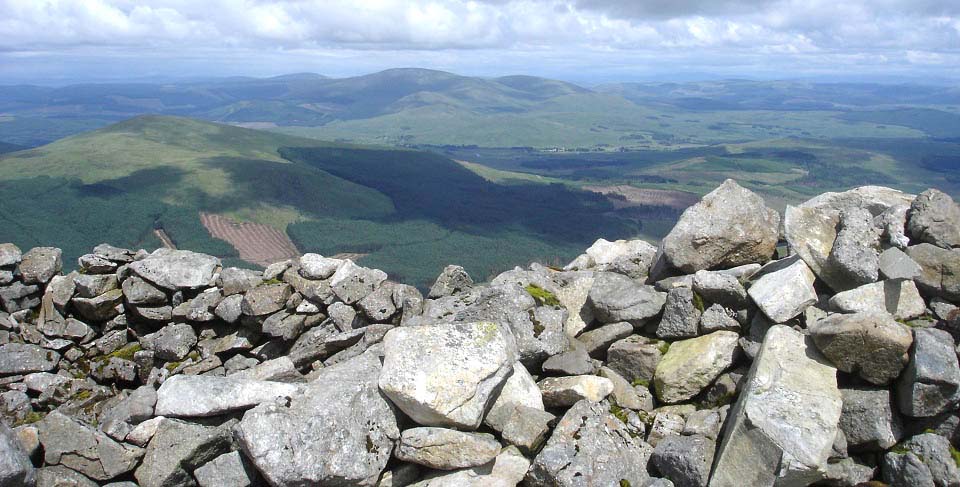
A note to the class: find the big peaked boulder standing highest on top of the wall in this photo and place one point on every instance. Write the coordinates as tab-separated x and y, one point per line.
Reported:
730	226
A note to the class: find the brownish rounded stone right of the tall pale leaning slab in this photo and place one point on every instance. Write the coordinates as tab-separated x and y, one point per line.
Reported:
871	345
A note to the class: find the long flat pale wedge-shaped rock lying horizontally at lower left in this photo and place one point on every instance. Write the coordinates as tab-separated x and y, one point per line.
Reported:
201	395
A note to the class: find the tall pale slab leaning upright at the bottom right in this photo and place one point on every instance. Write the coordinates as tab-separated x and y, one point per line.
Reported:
782	428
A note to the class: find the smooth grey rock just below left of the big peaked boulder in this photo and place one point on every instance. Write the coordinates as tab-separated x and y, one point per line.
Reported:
615	298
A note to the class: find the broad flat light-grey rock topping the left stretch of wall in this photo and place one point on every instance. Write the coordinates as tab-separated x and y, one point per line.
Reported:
177	269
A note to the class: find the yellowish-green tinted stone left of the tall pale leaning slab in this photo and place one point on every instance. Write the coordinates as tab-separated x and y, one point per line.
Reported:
691	365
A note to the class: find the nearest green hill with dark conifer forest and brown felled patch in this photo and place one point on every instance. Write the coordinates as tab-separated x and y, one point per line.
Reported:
150	178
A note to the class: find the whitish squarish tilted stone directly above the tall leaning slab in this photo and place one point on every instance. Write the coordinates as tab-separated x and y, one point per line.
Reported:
786	291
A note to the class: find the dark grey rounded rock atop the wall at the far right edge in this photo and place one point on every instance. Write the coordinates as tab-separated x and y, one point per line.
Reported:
934	218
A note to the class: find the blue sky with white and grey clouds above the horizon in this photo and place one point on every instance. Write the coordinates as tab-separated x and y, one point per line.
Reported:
585	41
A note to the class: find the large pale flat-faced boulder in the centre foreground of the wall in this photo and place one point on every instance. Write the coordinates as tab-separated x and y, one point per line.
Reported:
447	374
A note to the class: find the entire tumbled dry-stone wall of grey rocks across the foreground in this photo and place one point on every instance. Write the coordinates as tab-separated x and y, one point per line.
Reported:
719	359
